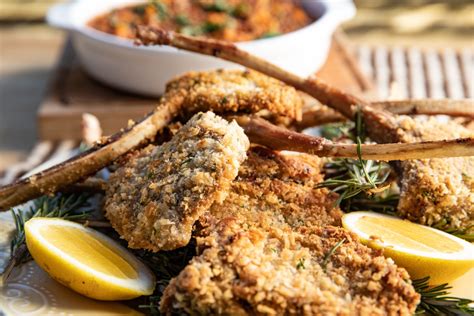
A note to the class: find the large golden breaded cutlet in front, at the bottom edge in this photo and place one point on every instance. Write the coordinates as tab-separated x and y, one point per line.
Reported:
244	269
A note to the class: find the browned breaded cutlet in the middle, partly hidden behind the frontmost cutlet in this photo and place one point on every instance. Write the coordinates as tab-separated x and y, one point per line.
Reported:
280	187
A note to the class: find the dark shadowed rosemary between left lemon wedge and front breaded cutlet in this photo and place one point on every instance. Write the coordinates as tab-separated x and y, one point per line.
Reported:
165	265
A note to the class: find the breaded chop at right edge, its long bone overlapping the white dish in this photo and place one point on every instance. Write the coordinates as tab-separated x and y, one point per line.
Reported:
427	186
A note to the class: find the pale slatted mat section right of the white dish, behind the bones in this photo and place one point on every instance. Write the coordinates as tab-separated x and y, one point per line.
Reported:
417	73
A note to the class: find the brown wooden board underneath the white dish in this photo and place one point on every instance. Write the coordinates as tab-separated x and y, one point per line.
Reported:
72	93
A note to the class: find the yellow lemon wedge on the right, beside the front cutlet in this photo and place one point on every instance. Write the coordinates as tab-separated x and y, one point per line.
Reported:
422	250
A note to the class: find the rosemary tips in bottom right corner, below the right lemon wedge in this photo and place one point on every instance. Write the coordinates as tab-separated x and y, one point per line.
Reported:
436	300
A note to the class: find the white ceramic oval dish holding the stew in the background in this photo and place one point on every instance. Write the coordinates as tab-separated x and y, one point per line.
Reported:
145	70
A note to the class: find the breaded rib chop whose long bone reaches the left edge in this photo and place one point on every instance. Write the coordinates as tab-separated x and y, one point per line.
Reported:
222	92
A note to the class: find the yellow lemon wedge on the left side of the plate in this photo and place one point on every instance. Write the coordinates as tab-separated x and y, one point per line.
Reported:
87	261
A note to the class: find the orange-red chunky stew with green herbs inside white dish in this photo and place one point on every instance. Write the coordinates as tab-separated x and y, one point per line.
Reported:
231	20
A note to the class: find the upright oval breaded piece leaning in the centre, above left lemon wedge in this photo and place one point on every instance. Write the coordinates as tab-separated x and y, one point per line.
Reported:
155	198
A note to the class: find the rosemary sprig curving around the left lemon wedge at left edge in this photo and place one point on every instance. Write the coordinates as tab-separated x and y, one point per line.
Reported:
70	207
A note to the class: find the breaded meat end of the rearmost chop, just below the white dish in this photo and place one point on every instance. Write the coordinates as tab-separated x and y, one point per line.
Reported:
231	91
